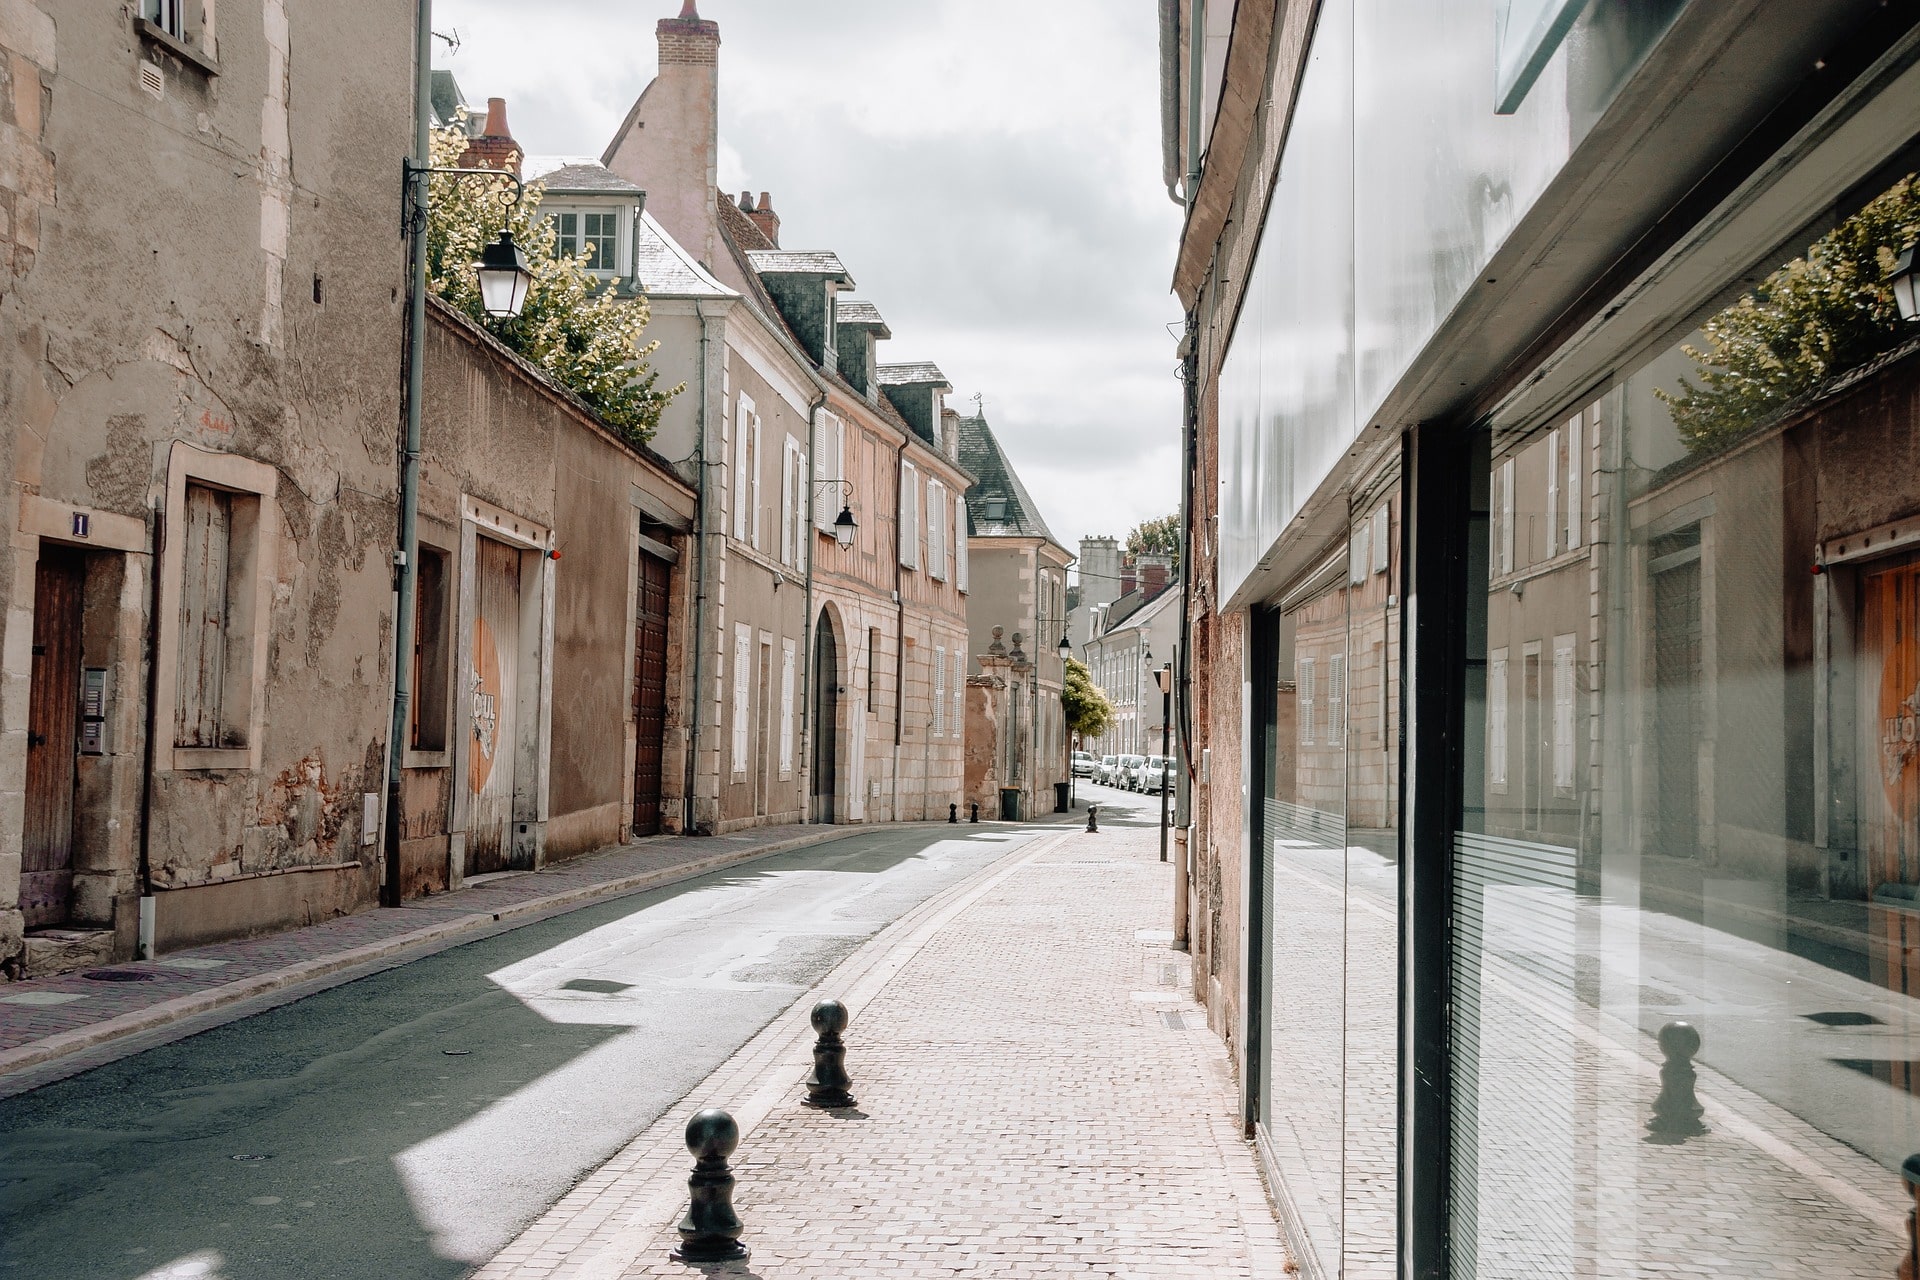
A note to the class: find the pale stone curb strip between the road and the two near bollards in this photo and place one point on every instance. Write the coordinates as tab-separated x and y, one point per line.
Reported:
752	1083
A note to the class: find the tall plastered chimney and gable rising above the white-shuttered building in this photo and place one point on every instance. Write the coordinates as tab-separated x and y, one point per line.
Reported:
671	139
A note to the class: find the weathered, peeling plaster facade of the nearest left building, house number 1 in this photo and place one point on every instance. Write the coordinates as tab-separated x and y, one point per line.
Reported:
195	678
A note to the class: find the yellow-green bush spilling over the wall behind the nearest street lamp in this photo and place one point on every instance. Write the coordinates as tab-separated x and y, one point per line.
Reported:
573	325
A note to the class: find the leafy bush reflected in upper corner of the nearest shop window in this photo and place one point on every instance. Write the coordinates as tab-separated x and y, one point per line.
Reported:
1810	321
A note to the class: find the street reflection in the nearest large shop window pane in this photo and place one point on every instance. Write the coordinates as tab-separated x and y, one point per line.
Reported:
1700	803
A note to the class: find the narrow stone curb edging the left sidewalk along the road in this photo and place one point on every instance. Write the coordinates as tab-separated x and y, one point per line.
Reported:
66	1043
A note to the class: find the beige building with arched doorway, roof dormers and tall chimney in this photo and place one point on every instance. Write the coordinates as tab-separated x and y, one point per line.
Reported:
876	628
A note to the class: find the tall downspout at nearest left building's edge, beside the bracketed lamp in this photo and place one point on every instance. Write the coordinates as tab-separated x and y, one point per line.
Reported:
410	452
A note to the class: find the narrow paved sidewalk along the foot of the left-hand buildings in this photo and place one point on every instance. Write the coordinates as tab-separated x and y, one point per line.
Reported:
45	1020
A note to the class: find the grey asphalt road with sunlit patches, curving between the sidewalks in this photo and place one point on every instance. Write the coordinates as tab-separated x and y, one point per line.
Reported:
410	1124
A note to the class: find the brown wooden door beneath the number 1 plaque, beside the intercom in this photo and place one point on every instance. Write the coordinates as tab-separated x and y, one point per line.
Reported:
53	732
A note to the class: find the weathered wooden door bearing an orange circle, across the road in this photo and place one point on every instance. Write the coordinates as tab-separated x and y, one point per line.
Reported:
494	686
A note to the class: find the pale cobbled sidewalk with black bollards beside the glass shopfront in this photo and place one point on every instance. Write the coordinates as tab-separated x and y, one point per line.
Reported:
1036	1099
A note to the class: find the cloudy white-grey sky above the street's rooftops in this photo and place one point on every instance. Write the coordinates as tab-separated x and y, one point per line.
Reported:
988	170
